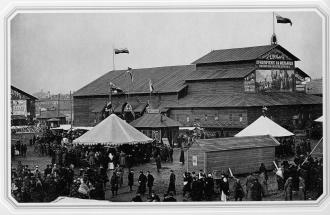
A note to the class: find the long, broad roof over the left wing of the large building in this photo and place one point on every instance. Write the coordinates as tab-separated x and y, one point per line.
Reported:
164	79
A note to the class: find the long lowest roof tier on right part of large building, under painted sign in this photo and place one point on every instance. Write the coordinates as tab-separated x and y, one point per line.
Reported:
246	100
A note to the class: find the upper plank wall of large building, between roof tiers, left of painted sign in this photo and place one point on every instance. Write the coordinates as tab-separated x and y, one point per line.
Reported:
216	87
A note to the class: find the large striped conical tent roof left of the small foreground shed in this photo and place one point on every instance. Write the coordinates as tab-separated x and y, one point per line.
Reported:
112	131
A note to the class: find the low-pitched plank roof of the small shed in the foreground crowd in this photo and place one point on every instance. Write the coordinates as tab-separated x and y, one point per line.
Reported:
234	143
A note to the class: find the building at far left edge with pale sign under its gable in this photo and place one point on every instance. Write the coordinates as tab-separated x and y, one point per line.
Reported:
22	107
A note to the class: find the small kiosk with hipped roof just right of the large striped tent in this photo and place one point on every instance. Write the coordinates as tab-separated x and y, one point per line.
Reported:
158	126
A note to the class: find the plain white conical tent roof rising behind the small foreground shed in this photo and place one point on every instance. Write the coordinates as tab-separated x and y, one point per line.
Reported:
264	126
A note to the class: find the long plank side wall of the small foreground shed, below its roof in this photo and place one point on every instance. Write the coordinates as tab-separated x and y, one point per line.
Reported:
240	161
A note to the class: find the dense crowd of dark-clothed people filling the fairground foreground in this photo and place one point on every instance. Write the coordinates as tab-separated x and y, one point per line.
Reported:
88	171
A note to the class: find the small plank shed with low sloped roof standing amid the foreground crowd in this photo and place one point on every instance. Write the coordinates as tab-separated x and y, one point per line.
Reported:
241	154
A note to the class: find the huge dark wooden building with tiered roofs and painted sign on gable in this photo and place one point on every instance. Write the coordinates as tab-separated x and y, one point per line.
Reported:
223	91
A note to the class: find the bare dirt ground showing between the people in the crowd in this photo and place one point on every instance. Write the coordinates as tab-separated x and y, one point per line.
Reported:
161	179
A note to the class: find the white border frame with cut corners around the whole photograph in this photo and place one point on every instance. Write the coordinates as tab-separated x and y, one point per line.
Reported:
150	6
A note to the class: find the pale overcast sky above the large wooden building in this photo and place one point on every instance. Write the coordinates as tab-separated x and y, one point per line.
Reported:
63	52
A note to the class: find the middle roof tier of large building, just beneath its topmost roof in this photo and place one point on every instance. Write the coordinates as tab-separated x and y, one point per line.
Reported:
224	73
